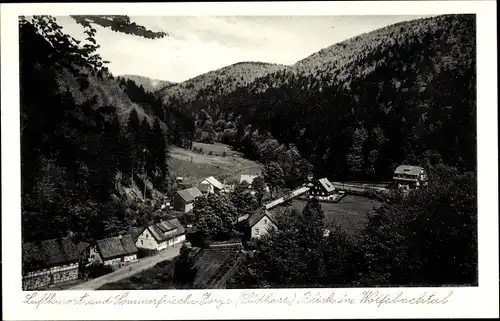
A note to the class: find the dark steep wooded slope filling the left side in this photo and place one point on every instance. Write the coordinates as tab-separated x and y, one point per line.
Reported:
76	155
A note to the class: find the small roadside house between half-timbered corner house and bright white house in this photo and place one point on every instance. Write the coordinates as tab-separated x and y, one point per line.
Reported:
114	251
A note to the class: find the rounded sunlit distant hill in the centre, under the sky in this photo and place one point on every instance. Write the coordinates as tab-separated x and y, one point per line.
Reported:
218	82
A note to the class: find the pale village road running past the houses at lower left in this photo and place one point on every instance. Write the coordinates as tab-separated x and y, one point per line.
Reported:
130	270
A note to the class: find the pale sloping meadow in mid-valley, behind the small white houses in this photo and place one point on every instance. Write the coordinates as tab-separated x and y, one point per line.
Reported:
194	167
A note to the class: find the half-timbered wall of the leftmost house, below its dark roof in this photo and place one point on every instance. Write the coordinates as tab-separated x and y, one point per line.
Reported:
44	278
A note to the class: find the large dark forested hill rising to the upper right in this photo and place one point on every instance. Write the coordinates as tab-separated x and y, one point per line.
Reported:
402	94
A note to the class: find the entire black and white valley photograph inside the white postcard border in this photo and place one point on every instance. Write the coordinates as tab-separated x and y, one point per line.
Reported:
248	152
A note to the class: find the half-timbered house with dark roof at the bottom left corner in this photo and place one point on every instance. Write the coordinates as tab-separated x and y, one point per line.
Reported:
49	262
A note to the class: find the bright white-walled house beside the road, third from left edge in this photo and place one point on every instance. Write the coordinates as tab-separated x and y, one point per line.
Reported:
162	235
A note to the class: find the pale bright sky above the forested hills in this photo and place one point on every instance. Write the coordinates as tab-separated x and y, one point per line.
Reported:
198	44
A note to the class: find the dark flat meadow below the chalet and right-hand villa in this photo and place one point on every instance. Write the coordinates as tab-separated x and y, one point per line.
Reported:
350	213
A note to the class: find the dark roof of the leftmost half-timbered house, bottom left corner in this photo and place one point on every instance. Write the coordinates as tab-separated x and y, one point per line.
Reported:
48	253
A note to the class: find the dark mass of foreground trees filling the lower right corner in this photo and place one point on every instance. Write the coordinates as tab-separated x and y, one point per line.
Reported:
427	238
